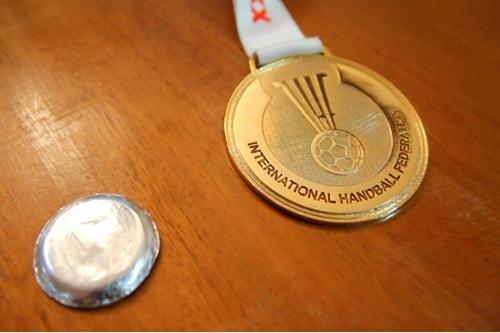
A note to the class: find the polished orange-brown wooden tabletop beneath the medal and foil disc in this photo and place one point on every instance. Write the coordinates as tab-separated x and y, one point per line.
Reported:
129	97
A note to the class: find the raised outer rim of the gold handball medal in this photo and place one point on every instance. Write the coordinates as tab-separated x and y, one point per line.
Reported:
381	212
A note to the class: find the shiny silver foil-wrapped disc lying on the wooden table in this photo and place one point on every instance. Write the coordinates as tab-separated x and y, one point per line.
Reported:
95	251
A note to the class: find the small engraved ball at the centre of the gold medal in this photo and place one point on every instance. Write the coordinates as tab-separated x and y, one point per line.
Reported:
338	152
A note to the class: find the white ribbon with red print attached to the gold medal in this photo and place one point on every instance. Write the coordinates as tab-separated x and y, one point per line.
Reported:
267	30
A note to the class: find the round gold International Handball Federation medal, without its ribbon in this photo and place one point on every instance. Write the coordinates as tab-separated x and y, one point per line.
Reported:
326	139
